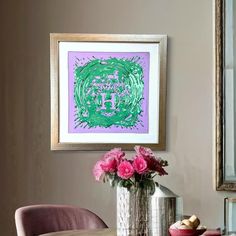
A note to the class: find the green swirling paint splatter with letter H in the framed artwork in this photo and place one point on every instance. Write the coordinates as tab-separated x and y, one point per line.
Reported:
108	93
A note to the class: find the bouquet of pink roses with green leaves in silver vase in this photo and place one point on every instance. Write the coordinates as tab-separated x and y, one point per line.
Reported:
139	172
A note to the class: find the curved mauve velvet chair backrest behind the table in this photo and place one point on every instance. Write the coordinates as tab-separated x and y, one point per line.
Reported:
39	219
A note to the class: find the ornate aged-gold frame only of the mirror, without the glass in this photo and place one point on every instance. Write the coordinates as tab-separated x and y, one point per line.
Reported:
221	183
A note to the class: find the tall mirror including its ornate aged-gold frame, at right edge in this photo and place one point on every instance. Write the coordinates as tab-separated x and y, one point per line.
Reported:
225	38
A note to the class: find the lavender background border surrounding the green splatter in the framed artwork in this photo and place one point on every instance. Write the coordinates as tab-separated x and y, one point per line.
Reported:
84	57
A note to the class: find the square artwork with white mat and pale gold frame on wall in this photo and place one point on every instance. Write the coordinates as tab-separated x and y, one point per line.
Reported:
107	91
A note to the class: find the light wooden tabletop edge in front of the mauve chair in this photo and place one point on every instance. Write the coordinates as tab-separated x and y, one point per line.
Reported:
101	232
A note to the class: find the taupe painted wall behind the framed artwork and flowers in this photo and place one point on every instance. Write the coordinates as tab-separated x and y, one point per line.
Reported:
30	173
